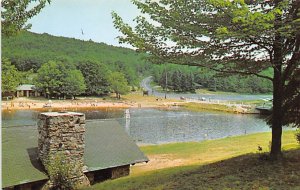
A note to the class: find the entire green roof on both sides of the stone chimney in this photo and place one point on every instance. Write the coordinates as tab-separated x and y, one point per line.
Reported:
107	145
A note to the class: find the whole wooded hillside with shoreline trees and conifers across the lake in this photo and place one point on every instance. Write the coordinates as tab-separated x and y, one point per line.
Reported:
97	61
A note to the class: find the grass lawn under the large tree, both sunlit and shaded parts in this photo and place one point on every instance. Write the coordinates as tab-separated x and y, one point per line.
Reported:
229	163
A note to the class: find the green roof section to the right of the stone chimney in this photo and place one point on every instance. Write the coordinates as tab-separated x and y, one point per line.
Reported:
108	145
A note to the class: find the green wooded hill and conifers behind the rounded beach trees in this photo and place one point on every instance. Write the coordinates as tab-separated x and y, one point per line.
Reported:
30	50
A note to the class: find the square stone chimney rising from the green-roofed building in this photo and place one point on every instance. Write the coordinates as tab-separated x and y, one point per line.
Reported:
63	132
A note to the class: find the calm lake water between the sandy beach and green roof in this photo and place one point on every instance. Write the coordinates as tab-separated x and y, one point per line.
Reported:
156	126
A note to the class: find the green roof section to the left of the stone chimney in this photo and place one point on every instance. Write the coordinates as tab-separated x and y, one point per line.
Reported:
19	156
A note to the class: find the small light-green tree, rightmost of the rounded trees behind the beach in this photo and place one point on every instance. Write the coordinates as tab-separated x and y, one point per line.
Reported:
118	83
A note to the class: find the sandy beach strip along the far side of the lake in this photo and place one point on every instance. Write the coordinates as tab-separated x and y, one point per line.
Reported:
128	101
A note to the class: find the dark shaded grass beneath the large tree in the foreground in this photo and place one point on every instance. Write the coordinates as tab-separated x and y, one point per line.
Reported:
243	172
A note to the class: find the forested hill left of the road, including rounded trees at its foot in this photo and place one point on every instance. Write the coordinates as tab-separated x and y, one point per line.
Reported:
61	67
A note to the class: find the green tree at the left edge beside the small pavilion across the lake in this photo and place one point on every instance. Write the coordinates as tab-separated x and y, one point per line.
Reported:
10	77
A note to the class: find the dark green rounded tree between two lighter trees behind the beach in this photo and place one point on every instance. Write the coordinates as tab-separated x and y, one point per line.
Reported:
95	76
